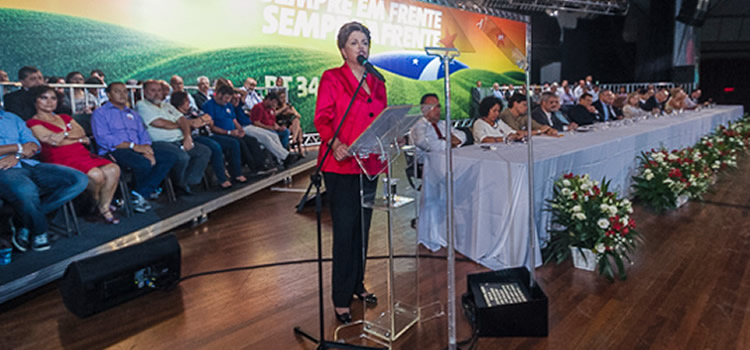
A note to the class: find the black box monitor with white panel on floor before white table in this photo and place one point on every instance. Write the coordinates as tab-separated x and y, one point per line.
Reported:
506	306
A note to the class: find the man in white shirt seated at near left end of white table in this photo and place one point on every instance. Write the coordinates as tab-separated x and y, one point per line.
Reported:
428	134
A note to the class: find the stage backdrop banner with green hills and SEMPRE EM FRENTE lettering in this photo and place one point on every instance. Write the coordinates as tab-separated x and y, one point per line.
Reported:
236	39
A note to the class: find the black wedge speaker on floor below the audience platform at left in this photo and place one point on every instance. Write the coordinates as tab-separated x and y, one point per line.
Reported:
100	282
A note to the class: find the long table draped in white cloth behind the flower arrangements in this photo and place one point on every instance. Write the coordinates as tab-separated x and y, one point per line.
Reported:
491	210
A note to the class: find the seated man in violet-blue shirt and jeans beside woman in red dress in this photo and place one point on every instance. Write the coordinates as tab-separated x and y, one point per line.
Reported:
121	132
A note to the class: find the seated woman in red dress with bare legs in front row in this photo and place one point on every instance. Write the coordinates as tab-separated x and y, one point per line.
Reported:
63	143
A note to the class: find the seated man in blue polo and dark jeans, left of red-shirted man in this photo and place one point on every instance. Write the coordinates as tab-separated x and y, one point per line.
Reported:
225	123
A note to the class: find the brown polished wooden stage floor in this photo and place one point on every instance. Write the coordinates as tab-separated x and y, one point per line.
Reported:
689	288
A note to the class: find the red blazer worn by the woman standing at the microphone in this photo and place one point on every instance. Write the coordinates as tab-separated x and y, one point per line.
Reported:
334	93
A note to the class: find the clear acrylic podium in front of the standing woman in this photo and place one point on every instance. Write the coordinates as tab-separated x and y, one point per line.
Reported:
376	152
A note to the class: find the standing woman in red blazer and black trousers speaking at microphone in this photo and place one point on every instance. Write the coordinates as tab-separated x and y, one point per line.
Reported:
340	169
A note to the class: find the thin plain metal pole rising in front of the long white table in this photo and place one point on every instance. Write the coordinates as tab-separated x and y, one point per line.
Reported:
532	231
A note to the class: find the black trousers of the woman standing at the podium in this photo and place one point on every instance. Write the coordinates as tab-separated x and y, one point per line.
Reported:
351	233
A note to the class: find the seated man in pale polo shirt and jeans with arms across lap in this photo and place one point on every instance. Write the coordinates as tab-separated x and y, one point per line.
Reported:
171	133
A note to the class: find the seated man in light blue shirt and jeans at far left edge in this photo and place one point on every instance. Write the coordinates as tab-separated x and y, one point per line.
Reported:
33	189
